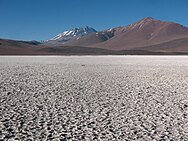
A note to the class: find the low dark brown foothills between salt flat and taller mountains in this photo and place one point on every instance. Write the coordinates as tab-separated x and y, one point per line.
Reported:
12	47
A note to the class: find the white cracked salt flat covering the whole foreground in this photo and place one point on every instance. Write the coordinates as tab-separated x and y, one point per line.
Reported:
112	98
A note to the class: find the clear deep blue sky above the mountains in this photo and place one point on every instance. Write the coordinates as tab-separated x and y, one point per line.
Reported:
43	19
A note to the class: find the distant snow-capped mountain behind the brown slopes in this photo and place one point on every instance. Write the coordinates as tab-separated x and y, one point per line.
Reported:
74	33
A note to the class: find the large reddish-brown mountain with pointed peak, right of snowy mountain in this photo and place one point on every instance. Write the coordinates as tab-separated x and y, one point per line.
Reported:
146	32
